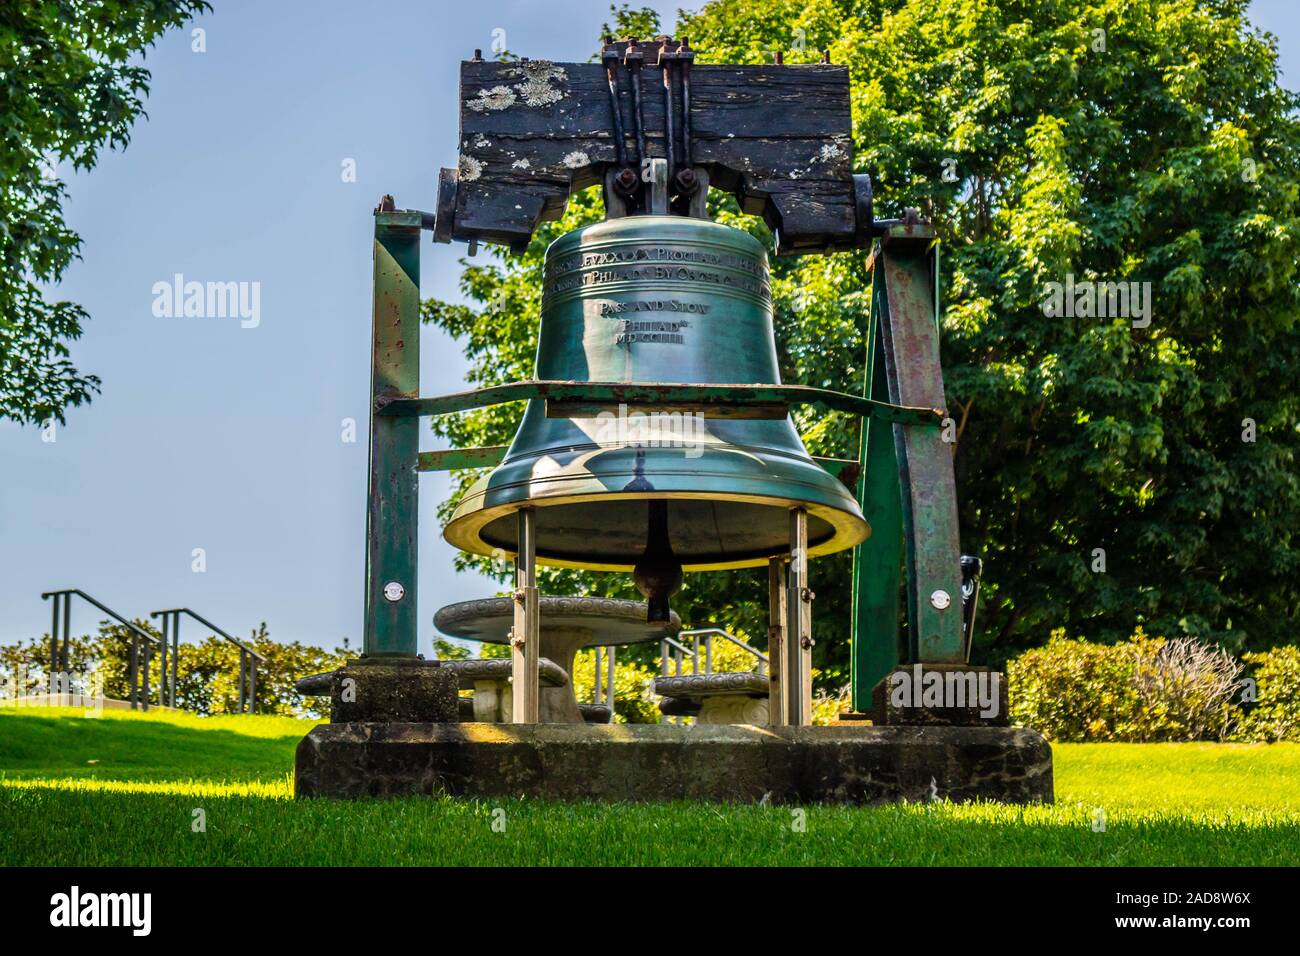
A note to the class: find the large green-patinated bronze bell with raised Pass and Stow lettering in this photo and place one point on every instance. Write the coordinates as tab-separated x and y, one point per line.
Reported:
657	300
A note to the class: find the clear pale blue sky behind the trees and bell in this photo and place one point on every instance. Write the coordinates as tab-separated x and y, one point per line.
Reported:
214	436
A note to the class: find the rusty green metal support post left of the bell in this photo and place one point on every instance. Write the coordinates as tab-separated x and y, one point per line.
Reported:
393	494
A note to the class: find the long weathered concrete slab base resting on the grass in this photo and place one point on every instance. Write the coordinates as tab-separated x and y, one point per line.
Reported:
639	763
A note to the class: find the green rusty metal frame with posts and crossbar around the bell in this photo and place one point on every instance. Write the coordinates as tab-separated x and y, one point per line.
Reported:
905	482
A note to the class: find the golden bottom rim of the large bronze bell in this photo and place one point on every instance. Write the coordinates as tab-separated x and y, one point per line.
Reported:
850	530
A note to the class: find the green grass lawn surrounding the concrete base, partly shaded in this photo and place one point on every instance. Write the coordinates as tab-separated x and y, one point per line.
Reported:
124	789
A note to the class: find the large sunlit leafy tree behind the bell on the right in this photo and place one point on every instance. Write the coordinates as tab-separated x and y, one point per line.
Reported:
1137	141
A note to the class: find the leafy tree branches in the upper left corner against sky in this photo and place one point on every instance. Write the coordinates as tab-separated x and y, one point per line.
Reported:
70	84
